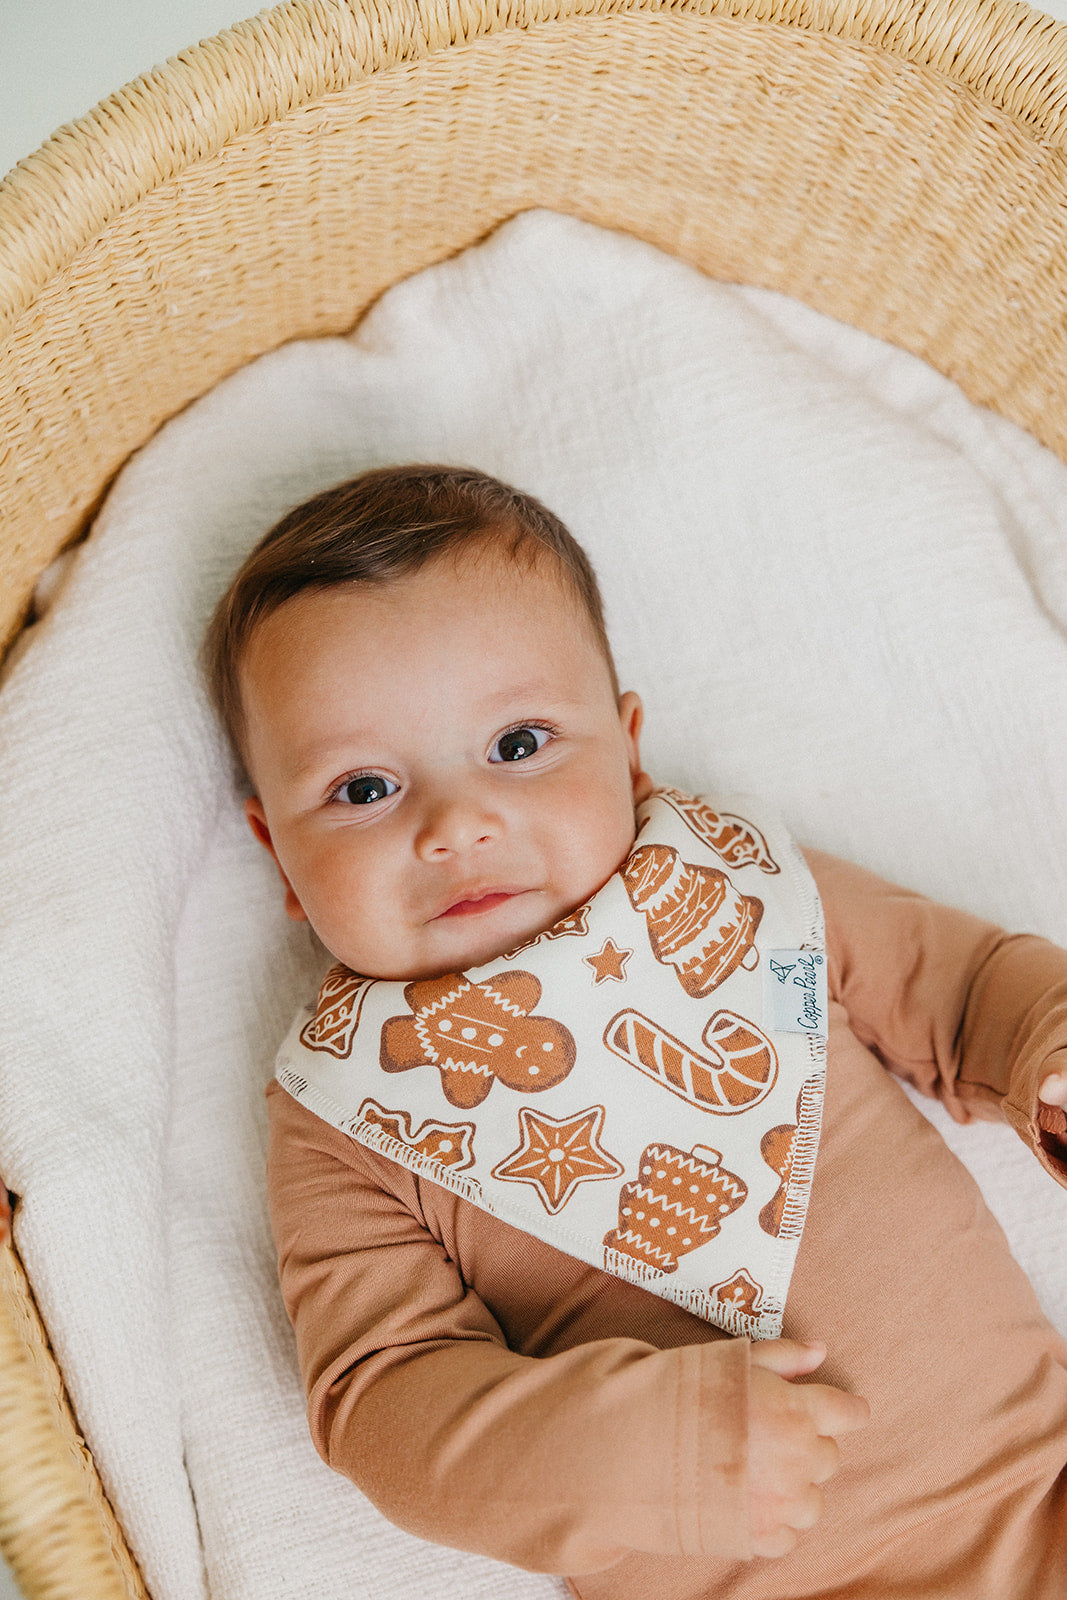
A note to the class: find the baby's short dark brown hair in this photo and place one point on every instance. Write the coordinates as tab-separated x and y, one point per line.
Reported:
375	530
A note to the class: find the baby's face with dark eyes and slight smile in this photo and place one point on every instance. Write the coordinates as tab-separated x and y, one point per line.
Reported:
441	766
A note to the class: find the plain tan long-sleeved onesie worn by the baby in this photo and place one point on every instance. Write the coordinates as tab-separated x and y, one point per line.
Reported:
494	1394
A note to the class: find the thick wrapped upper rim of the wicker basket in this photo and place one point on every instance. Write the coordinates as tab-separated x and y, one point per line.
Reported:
290	55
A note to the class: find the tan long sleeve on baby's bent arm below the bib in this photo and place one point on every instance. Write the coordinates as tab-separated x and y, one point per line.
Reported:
559	1463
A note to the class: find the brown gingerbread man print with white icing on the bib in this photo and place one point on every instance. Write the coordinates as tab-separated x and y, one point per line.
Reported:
478	1034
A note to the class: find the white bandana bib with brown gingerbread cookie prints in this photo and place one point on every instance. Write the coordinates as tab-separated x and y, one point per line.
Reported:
641	1086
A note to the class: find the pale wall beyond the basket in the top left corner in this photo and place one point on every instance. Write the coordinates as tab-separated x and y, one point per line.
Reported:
60	57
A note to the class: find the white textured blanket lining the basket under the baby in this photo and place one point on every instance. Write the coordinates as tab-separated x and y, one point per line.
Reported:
877	644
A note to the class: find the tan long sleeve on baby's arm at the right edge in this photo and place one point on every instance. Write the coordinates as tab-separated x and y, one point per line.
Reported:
957	1007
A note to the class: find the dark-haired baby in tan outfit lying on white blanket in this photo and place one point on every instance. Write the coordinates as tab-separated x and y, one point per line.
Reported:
415	673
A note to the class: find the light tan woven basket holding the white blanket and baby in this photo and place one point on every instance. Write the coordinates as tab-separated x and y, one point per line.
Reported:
898	166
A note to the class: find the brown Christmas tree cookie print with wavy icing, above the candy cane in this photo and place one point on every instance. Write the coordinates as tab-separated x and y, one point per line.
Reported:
698	922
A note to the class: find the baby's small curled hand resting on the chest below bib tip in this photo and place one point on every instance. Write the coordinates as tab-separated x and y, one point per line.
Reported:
793	1442
